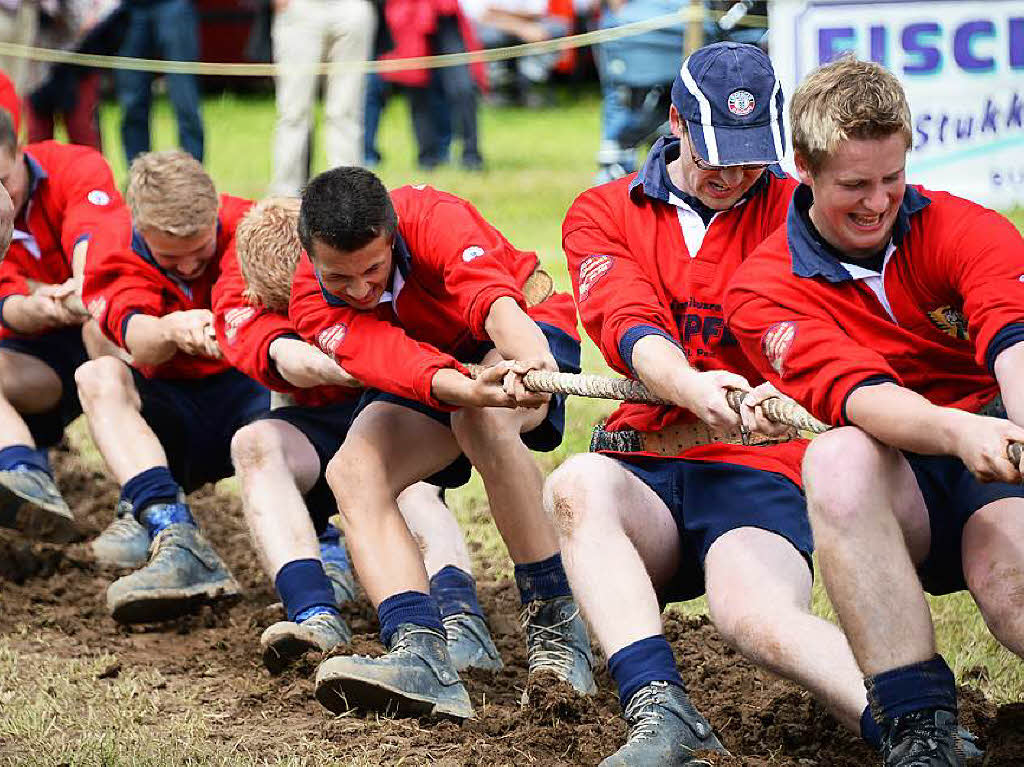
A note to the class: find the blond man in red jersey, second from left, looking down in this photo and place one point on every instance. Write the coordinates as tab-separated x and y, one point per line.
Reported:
164	423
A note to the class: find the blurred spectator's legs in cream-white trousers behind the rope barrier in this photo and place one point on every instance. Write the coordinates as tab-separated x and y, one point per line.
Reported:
306	34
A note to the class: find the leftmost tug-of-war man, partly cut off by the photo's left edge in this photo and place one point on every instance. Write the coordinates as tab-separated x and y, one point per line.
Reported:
63	196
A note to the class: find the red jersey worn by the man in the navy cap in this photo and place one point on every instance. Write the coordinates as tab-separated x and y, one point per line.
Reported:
644	262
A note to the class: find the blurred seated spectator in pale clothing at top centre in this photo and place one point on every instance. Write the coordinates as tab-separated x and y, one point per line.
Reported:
502	23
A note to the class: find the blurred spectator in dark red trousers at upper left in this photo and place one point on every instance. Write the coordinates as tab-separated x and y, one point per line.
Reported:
68	92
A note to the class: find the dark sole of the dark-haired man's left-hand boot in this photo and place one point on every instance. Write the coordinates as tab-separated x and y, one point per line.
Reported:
339	694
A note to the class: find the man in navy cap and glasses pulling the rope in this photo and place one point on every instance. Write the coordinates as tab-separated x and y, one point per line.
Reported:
675	503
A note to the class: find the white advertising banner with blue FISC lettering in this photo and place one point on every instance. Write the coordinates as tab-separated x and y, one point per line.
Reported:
962	64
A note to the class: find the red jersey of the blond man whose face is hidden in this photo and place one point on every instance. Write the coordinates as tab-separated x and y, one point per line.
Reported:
246	330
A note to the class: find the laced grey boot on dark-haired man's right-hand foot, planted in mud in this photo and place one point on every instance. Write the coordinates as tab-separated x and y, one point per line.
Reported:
558	642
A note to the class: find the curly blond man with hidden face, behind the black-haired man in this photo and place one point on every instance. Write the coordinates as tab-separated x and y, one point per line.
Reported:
282	458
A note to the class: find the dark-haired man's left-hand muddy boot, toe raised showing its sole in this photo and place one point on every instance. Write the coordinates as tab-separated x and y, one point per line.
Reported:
416	678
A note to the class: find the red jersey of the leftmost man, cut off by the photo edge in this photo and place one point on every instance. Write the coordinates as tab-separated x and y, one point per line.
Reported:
71	197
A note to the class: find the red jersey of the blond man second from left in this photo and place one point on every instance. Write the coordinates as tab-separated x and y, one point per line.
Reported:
123	280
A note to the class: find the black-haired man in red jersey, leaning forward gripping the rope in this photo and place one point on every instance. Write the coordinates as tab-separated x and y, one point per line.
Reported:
397	289
